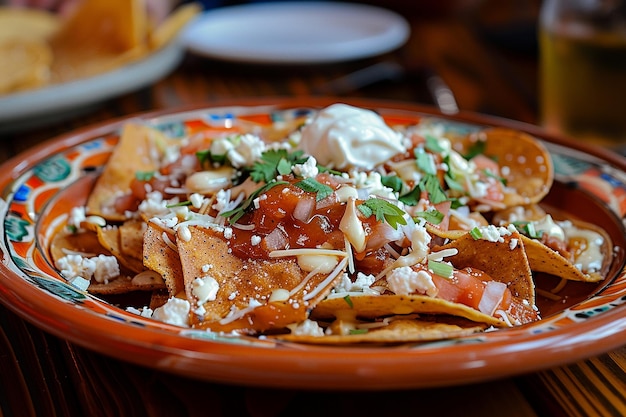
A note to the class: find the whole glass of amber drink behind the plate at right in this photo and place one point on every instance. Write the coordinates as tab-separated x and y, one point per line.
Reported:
583	70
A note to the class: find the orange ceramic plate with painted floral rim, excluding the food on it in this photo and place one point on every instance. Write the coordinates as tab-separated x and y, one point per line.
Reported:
40	187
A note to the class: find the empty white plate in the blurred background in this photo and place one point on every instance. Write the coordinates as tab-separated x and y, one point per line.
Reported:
296	32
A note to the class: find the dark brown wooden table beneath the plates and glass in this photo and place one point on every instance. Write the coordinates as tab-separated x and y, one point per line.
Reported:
490	70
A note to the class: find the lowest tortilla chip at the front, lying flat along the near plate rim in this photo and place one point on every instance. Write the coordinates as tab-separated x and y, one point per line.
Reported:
398	330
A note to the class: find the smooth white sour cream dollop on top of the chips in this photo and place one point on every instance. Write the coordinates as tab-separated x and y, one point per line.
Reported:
343	136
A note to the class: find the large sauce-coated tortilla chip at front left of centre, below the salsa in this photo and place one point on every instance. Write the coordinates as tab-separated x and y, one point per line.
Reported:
246	296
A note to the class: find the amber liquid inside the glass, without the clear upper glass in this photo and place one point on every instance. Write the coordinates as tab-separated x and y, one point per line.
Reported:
583	86
